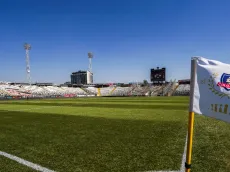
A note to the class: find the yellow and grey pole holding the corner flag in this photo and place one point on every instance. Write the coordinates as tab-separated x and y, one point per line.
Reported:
191	117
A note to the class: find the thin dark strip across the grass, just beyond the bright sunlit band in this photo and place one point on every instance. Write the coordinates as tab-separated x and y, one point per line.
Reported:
104	105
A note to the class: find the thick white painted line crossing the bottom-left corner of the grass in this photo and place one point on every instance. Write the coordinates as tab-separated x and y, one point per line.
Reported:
26	163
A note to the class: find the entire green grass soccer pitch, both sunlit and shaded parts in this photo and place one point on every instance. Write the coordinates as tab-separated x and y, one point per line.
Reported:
109	134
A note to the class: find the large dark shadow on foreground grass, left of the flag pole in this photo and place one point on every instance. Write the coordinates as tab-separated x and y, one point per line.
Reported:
81	143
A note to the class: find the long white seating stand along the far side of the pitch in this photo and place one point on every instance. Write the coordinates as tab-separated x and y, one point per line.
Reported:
8	90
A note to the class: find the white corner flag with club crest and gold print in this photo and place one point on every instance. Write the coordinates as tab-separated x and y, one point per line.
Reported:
211	92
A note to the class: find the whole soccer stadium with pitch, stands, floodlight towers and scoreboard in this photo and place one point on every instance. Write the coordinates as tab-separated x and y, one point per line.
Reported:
85	126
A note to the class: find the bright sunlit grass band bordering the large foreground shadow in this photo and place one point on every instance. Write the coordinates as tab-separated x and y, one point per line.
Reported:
116	113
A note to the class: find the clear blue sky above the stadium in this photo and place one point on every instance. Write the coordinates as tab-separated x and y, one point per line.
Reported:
127	37
